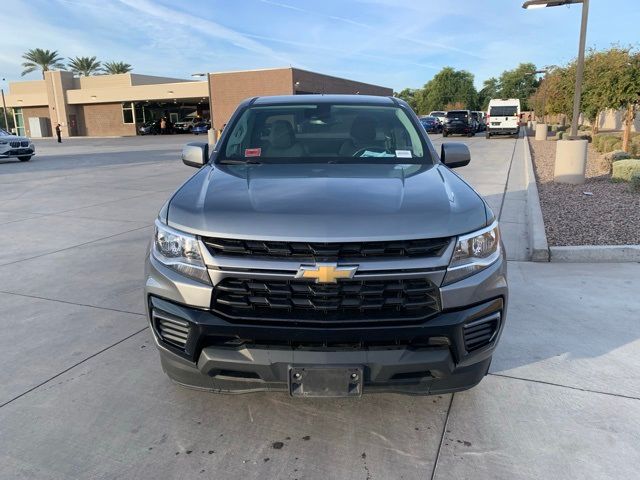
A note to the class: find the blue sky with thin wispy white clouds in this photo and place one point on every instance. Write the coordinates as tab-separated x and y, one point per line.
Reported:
394	43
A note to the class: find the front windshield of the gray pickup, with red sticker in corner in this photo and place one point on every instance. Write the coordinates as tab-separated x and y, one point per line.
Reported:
323	132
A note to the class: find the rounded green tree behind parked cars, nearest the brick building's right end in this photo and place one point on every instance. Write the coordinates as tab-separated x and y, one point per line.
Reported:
449	86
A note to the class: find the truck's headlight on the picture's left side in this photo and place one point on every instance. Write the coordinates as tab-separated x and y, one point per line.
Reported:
179	251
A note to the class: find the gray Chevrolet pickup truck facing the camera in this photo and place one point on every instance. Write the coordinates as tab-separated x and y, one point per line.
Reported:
324	248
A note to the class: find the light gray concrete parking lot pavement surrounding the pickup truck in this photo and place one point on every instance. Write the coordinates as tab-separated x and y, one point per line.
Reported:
82	394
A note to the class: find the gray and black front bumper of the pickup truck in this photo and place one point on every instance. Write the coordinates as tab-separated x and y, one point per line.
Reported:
425	358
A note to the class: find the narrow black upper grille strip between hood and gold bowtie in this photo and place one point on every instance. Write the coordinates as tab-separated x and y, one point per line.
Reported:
334	251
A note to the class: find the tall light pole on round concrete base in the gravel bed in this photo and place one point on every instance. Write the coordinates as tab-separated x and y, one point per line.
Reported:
571	157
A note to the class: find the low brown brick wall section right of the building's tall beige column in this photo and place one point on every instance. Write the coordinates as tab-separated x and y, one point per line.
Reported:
103	120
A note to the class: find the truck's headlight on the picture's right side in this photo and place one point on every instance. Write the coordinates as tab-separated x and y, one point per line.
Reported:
474	252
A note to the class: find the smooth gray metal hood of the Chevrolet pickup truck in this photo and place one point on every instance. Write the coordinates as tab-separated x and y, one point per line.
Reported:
326	202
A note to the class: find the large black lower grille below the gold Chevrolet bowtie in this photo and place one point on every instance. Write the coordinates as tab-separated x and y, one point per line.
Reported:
342	304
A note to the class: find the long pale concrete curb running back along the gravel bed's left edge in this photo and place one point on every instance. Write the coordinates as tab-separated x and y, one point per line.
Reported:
535	223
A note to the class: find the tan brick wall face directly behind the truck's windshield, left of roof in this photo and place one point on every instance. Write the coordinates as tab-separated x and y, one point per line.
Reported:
230	88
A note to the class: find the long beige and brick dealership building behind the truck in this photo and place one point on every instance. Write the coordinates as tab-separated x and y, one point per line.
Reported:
116	105
